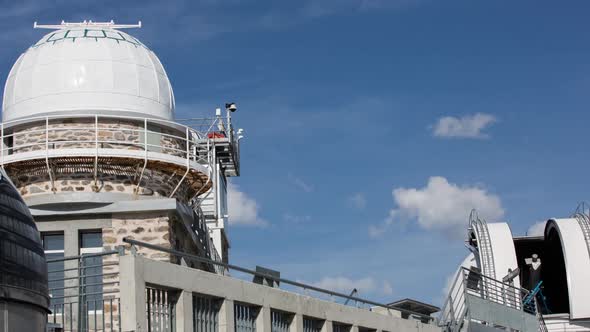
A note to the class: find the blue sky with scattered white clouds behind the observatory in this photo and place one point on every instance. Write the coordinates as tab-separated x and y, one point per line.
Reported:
372	126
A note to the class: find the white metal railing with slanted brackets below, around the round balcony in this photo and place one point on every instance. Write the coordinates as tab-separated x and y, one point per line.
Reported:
187	158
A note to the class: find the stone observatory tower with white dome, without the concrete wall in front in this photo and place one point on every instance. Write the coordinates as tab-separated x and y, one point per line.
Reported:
90	140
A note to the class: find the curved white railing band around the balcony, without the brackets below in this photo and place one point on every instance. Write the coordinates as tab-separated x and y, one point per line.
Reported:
100	132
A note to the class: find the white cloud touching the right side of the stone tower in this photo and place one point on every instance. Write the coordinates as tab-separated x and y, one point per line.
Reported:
242	209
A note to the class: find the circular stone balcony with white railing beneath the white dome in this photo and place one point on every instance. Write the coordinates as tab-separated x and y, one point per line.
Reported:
102	153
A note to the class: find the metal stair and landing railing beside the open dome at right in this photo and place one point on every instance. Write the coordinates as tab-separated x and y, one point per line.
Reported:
472	283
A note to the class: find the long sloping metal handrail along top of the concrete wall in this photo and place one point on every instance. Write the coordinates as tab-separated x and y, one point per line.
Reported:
271	277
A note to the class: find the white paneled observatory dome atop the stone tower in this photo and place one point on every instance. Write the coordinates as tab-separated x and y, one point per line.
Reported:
88	70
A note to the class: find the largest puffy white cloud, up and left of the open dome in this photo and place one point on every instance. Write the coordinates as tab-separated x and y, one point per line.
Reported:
440	206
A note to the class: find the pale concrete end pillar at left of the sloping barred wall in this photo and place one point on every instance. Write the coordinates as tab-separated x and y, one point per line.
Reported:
132	283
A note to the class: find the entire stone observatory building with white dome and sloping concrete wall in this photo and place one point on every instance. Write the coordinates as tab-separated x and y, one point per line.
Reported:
90	140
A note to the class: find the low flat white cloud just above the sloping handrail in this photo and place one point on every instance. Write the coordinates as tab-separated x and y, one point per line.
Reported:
346	285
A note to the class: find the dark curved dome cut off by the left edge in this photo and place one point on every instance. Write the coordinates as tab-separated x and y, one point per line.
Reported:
23	269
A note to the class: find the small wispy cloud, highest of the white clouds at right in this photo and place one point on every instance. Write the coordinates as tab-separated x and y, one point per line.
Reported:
468	126
